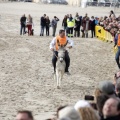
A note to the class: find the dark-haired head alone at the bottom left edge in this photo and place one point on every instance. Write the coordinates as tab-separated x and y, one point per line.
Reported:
24	115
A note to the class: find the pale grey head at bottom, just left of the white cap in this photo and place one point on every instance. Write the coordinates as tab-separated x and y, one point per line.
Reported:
69	113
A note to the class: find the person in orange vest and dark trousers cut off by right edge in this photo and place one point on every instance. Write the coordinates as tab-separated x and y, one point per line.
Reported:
117	43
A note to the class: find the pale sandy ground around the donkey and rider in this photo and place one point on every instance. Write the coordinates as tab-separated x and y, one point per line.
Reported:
26	81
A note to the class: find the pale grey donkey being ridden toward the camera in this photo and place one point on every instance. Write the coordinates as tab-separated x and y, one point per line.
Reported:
60	65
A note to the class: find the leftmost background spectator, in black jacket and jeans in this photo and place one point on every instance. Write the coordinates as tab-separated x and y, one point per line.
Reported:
23	24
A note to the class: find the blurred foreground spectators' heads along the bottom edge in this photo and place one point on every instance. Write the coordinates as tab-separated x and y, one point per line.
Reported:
103	105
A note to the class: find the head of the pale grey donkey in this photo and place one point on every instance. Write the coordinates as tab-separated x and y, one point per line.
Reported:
61	53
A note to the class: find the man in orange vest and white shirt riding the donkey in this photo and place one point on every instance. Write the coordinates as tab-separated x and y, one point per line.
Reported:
63	40
